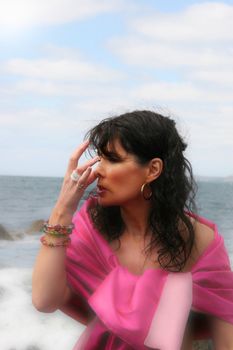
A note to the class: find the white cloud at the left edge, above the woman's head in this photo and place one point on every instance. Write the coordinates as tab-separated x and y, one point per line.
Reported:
61	72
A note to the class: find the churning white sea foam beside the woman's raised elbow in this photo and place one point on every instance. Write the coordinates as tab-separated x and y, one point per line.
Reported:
22	327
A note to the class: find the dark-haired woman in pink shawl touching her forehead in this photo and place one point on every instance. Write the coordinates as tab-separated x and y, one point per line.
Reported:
135	264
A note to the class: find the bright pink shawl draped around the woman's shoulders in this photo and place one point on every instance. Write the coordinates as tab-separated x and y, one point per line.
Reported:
147	311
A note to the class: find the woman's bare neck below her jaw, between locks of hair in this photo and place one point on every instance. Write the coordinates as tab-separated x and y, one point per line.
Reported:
135	216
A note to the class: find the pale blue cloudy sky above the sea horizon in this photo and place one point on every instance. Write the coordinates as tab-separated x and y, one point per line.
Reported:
67	64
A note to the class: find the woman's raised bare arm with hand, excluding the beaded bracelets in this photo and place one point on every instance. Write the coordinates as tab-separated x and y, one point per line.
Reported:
49	284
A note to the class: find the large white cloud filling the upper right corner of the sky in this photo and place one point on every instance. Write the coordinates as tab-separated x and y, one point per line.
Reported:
199	37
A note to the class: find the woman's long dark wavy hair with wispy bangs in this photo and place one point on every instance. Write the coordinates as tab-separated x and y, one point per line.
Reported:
146	135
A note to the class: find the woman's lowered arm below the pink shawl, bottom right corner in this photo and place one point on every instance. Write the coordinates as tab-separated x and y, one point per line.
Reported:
222	334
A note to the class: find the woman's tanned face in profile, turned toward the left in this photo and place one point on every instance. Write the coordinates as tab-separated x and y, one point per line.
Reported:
119	181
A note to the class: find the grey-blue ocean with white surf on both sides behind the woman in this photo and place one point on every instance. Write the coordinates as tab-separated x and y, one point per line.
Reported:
24	202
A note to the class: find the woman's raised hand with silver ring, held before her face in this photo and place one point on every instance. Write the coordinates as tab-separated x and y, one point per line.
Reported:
72	191
